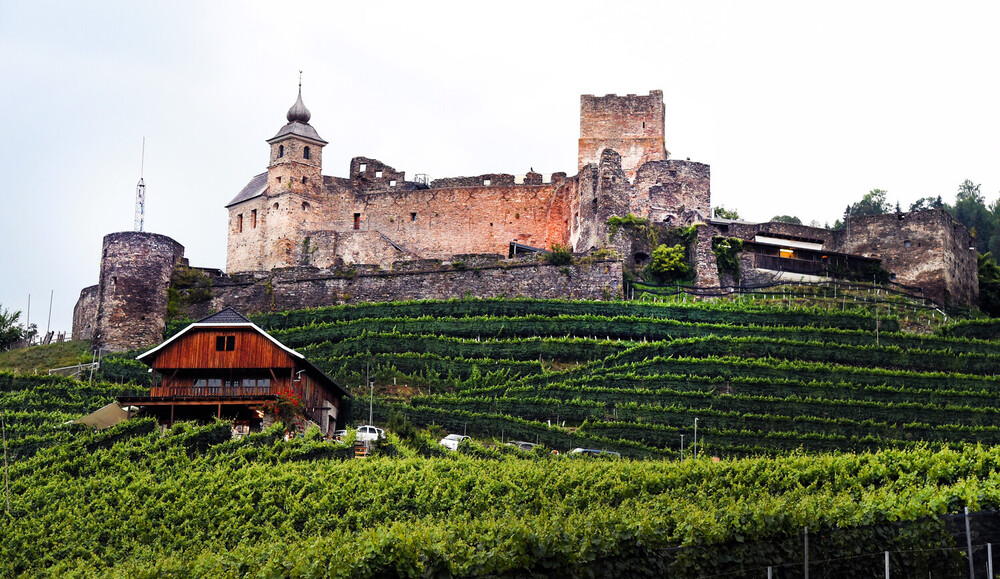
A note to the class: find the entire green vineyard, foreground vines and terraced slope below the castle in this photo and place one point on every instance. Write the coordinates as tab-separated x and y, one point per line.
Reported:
822	421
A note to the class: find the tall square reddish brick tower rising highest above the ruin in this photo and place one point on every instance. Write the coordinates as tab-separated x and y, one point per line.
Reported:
631	125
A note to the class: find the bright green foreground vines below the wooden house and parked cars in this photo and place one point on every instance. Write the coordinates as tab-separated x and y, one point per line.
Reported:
127	502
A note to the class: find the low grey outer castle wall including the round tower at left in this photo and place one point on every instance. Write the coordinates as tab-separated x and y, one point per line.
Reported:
128	308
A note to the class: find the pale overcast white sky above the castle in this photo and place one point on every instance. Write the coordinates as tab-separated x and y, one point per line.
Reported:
799	108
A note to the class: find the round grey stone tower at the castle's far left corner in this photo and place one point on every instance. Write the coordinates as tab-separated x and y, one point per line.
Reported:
132	291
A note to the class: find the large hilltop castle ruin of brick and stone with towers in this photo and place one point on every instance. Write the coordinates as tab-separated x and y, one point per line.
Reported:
297	238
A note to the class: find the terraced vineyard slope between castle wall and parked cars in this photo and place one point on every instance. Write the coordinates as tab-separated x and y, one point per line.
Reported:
635	376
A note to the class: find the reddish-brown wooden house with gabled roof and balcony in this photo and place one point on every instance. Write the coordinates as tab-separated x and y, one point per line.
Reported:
225	366
